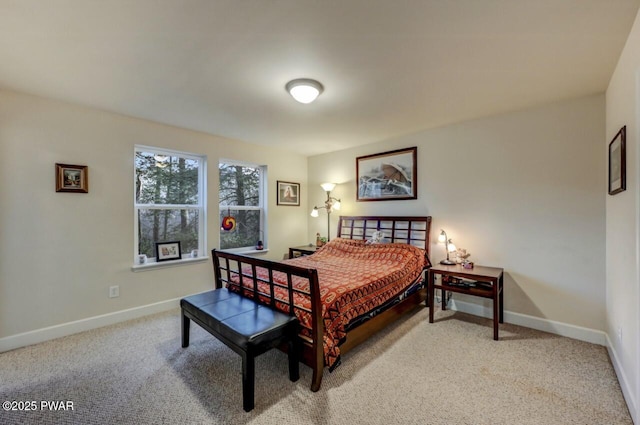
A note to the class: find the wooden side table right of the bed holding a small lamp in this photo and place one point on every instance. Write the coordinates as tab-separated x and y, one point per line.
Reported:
490	285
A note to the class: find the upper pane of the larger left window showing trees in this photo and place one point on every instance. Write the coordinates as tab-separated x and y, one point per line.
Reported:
165	179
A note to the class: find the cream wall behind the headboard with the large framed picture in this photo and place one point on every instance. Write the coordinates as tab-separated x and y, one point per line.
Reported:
523	191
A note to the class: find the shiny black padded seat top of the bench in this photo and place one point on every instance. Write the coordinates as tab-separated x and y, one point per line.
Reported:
240	320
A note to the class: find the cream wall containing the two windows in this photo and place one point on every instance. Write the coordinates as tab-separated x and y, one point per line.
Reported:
59	252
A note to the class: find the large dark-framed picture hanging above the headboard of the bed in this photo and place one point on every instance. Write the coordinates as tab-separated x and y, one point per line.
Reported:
388	176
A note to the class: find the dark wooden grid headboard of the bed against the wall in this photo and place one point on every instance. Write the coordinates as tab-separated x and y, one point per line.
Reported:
410	230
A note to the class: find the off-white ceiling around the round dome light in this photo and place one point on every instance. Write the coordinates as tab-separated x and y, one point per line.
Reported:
389	67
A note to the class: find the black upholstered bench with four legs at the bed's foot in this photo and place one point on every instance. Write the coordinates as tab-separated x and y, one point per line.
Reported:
246	326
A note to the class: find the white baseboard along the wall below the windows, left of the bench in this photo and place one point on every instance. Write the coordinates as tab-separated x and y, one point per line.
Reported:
40	335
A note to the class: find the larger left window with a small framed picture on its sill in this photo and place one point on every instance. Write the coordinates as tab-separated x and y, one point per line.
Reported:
169	201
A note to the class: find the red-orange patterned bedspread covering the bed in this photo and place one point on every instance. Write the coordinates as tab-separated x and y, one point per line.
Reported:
355	278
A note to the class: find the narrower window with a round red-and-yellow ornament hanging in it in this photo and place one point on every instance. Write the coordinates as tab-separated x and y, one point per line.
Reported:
242	196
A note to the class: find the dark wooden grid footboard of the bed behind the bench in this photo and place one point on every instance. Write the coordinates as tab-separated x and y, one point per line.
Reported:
240	269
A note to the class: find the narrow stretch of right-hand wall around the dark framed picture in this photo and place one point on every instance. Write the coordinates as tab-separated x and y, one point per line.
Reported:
623	232
